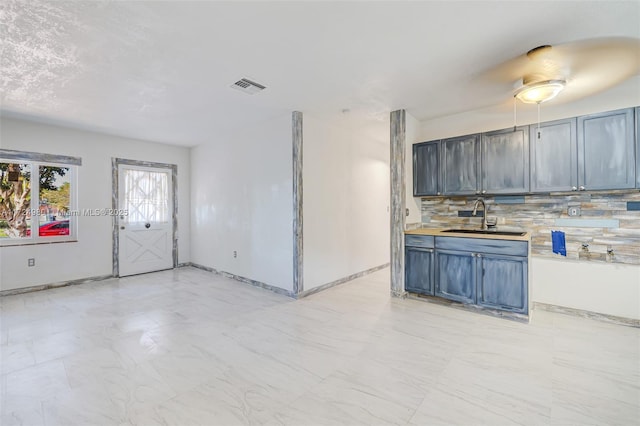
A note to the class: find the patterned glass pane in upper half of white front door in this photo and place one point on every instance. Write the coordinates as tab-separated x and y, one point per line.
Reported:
146	196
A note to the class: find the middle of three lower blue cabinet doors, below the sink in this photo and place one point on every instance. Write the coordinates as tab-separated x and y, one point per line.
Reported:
456	276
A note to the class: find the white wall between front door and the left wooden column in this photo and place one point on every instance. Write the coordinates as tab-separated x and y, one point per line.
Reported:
242	200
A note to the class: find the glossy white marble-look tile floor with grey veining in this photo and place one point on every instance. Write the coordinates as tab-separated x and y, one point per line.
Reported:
187	347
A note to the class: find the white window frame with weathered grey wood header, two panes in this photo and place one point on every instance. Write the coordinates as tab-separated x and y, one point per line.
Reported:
35	161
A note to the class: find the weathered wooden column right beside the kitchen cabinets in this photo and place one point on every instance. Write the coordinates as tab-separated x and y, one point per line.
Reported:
398	200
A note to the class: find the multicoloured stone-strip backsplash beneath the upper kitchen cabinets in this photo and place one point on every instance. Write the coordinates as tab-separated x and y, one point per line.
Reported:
606	221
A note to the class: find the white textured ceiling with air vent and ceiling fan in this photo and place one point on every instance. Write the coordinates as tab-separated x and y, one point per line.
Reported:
161	71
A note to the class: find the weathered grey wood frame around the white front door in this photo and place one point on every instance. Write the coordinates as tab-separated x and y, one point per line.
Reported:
115	163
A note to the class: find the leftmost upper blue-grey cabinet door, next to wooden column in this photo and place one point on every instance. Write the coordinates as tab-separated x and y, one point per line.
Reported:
426	169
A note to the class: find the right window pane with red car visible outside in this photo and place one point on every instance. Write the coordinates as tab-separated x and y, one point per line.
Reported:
55	198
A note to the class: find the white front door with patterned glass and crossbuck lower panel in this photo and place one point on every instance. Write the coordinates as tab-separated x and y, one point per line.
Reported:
145	231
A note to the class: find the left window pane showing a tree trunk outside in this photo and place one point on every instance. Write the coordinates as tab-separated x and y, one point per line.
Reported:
15	200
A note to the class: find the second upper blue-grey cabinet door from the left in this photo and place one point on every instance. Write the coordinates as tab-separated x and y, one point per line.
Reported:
461	165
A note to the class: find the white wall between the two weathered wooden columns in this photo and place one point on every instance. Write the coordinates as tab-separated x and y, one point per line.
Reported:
346	197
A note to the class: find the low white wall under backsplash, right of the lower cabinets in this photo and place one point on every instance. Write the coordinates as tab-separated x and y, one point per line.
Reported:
597	287
